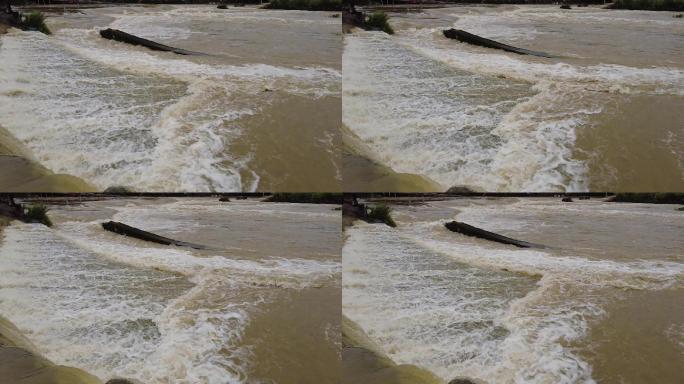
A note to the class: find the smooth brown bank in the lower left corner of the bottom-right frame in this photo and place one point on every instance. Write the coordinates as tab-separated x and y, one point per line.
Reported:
364	362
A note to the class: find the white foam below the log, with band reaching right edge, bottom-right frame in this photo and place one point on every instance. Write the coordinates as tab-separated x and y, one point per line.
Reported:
462	306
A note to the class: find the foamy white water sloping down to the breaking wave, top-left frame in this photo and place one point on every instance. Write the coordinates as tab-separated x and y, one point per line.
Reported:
73	112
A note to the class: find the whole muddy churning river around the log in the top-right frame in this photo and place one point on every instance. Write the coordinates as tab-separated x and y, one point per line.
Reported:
496	121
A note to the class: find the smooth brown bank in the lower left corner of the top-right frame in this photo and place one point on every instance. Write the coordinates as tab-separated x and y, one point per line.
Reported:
362	173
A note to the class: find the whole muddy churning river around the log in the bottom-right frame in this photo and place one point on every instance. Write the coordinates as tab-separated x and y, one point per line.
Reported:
598	308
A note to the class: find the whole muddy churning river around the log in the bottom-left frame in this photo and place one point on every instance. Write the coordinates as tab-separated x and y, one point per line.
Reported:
120	307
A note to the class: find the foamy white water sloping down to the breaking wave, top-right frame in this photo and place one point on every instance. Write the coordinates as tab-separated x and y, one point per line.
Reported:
456	127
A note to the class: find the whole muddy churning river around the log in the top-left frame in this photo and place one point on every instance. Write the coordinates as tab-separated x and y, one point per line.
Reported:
114	114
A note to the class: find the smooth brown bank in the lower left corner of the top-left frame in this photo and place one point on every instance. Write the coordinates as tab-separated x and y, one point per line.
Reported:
22	174
